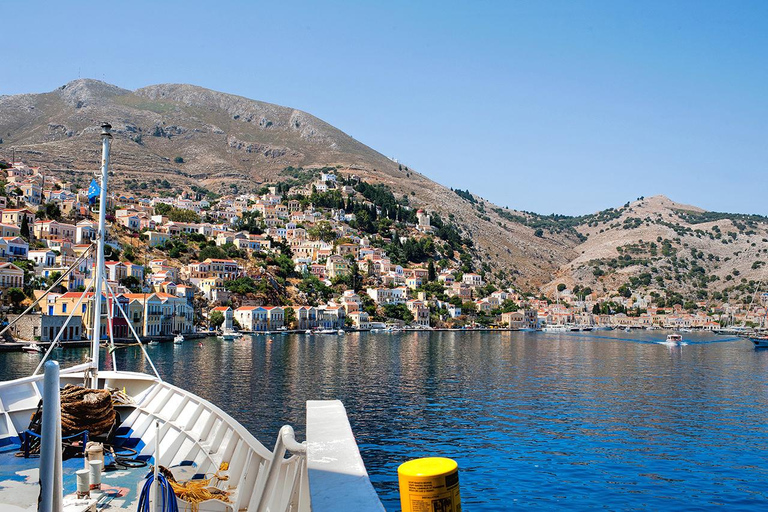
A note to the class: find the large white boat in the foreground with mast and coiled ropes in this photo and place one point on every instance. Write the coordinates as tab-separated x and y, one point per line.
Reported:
150	421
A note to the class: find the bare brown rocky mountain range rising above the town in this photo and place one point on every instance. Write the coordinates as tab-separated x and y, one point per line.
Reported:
191	136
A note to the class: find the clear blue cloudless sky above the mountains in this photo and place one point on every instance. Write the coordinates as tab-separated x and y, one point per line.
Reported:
548	106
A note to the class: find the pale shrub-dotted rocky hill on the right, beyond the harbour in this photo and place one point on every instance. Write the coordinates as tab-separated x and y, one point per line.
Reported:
658	246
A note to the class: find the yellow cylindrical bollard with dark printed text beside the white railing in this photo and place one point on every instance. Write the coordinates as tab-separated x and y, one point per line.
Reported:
429	485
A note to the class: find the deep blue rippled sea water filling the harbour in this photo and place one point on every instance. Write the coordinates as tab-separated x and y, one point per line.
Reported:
576	421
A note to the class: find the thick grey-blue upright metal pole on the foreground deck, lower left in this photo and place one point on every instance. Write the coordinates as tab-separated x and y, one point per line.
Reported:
50	445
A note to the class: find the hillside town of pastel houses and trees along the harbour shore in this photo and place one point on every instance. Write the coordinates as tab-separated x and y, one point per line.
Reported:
321	250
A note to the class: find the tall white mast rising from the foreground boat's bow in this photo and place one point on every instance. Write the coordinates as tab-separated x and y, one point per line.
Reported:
106	138
